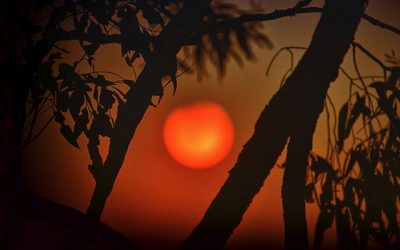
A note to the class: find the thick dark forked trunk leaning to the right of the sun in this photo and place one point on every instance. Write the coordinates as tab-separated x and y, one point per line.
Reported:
304	89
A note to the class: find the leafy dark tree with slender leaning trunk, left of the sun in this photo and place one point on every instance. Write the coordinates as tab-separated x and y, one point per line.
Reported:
90	97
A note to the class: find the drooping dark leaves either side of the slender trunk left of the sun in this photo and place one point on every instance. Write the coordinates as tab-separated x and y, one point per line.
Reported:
83	98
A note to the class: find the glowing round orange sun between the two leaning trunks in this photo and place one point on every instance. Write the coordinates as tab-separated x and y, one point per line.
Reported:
198	136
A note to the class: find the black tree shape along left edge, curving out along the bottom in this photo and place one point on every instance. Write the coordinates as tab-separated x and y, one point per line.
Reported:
22	96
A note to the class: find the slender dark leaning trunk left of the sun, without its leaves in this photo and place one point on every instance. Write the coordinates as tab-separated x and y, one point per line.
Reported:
170	41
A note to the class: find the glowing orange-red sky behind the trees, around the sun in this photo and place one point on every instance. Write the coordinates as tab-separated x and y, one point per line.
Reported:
155	200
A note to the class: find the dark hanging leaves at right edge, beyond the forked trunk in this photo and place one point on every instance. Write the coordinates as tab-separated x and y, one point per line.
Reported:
356	184
